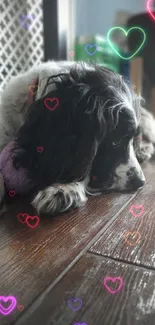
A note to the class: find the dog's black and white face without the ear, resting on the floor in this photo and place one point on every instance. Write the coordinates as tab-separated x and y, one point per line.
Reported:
115	165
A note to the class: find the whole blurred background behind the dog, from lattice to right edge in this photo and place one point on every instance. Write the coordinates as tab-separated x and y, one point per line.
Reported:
33	31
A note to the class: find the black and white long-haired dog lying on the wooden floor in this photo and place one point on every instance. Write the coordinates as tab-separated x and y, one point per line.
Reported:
90	140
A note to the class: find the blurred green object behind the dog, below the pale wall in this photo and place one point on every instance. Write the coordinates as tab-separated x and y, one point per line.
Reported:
96	49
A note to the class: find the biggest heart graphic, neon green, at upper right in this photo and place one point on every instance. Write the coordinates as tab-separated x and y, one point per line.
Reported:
126	33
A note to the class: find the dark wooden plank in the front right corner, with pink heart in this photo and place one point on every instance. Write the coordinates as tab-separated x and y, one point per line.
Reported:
133	304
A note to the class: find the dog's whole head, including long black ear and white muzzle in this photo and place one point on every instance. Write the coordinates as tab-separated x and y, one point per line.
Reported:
89	134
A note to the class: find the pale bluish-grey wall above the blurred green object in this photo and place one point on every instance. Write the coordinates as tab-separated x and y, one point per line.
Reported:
97	16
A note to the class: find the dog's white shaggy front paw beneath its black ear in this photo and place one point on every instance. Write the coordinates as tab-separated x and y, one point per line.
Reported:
60	198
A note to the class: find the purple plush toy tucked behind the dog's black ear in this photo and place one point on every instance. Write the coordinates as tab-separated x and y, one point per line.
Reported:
14	180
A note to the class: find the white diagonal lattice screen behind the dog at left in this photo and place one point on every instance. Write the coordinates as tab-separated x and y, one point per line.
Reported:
21	38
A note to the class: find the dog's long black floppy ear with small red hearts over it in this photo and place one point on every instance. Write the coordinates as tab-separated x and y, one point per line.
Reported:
60	144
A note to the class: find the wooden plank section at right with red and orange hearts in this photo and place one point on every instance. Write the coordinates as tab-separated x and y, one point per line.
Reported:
131	237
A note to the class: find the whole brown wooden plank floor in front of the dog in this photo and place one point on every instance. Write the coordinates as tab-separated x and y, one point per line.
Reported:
93	266
